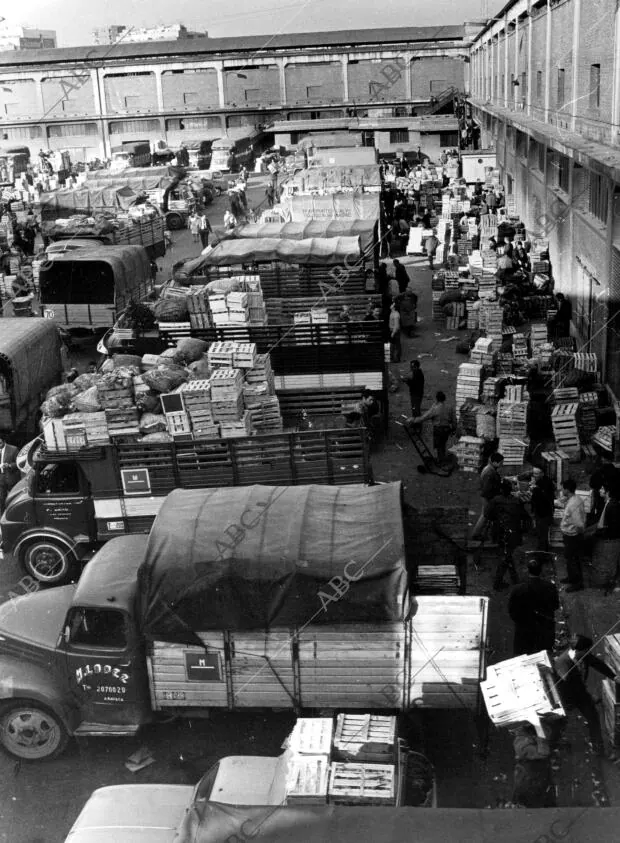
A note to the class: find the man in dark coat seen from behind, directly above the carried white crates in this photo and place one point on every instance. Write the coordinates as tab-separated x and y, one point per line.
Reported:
532	607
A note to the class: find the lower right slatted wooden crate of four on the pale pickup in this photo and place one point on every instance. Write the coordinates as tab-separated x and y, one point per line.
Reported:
362	784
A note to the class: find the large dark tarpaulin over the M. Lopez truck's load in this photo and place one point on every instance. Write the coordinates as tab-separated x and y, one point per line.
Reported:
258	557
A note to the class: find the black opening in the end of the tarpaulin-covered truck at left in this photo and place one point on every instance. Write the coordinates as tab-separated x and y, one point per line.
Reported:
83	282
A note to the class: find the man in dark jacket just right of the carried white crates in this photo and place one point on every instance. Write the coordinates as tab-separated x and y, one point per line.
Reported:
571	669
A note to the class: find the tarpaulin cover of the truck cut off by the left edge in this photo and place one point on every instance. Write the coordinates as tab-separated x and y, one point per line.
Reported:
30	348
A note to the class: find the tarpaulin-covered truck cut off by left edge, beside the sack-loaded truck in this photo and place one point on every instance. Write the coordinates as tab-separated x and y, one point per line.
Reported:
30	363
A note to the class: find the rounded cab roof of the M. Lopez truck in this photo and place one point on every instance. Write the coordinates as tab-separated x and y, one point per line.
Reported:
109	579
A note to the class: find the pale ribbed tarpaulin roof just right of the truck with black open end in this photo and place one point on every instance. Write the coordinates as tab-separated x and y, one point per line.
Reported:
315	251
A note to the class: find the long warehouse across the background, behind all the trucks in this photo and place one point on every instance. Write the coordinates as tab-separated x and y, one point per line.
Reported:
87	100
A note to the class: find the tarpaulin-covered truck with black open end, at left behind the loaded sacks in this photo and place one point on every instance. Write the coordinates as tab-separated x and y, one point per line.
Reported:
88	289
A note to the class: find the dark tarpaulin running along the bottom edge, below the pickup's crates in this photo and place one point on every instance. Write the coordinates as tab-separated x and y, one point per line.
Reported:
210	822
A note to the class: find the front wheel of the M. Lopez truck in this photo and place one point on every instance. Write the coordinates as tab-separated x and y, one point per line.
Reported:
31	732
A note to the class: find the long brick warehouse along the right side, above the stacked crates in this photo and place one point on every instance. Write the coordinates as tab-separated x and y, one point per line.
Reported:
545	90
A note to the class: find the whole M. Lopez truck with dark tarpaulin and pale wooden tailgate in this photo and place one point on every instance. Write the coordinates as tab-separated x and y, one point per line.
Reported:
242	598
